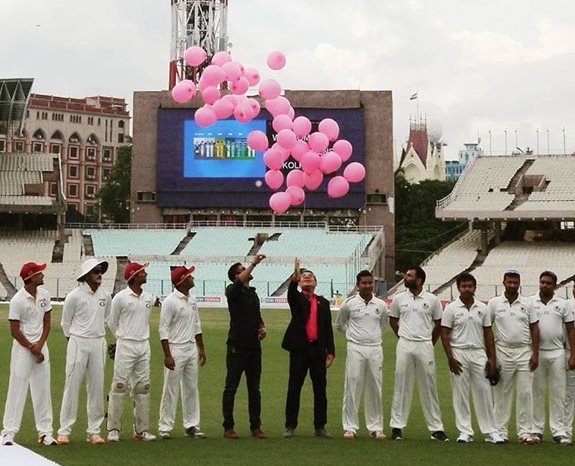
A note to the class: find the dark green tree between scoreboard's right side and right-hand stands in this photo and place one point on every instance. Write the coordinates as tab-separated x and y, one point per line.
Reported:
418	233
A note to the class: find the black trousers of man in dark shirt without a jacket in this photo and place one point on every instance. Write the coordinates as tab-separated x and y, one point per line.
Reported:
239	360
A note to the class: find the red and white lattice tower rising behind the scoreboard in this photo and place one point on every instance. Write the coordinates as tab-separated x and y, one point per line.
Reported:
196	22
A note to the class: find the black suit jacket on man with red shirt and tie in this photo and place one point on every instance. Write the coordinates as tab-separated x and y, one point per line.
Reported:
295	337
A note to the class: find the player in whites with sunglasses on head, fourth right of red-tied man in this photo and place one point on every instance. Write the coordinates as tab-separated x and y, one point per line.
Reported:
517	348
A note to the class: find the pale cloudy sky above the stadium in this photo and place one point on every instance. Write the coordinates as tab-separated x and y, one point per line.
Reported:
480	69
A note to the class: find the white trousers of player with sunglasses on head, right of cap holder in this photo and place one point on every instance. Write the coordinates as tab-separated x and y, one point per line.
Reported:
514	364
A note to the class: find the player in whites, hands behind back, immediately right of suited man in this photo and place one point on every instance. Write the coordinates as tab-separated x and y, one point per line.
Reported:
362	319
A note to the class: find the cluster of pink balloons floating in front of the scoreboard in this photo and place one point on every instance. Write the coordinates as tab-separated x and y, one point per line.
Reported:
319	153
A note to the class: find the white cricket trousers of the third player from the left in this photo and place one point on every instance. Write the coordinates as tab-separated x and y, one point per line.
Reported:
131	368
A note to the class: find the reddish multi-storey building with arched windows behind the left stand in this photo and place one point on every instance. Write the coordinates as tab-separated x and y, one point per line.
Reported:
85	132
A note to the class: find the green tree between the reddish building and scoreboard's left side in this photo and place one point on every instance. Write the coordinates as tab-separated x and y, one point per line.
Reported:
114	197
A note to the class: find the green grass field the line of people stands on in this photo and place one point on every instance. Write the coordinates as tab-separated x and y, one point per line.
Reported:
416	449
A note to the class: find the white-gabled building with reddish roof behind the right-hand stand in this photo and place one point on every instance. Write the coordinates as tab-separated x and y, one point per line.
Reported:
422	158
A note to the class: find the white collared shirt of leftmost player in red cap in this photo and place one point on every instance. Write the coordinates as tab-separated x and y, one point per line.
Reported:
30	312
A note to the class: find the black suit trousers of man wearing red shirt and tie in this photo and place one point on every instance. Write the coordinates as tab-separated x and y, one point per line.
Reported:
312	359
